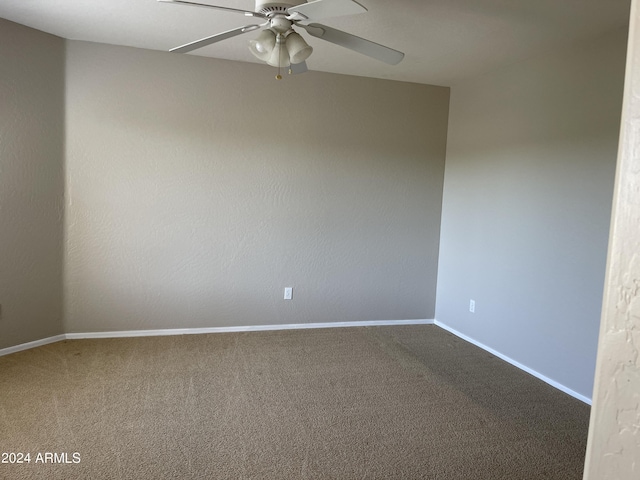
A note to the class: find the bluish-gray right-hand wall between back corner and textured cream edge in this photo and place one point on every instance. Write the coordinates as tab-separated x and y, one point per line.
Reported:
527	199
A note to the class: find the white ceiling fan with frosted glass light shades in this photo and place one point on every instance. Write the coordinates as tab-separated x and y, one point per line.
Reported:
279	45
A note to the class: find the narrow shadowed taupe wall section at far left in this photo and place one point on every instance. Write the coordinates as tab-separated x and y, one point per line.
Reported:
31	183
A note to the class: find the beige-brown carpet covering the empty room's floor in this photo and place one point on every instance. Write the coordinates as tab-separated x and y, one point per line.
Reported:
379	402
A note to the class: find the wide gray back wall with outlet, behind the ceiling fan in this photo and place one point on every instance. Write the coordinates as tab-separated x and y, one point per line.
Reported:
198	189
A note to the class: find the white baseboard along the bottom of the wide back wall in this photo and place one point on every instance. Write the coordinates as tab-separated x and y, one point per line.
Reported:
248	328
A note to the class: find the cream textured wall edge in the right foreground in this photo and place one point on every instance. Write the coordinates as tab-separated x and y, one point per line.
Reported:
613	450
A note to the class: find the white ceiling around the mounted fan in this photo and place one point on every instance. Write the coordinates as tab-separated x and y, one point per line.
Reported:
444	40
